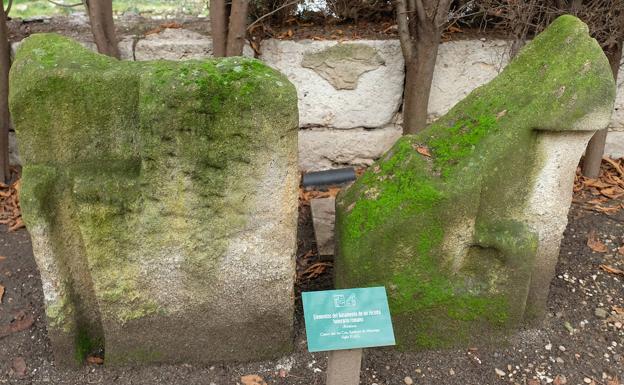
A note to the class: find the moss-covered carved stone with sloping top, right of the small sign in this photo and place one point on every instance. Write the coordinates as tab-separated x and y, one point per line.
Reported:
462	222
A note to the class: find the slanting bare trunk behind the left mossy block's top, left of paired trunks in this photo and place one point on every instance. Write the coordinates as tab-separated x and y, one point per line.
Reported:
102	25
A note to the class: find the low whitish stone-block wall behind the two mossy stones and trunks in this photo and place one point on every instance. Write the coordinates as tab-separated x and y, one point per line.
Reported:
350	92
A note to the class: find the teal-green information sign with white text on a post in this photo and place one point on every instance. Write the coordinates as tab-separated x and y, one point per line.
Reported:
347	319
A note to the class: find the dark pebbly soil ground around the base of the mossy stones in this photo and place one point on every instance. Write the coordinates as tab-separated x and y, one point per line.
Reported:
576	343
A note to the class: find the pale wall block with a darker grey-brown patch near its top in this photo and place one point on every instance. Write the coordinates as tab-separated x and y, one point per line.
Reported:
341	85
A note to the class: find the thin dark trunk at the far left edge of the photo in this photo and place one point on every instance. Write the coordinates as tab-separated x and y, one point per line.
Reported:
5	121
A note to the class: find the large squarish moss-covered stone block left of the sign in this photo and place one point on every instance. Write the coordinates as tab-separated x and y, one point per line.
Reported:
161	198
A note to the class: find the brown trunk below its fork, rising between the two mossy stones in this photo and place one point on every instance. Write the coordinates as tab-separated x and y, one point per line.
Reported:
418	78
